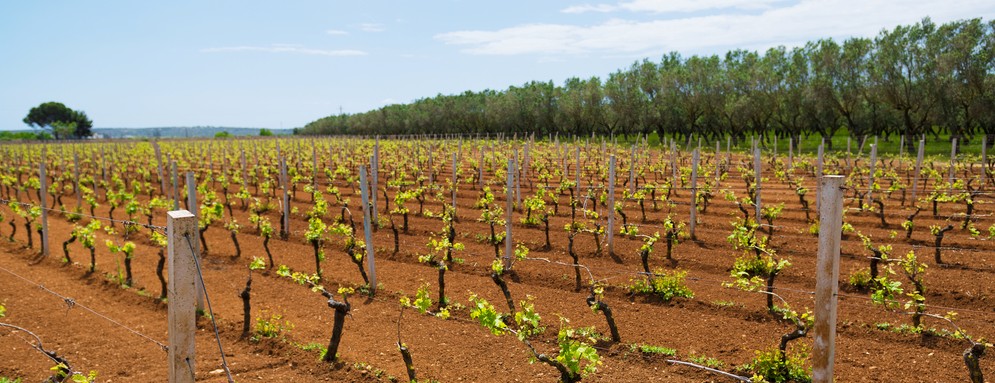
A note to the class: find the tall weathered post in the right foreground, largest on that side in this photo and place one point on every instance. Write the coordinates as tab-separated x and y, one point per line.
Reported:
827	277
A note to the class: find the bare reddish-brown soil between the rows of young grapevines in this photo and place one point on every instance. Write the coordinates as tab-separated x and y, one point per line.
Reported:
722	323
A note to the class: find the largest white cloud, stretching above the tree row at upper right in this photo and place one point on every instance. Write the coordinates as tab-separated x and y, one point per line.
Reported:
778	24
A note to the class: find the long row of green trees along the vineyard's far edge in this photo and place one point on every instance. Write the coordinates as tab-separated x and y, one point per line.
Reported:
920	79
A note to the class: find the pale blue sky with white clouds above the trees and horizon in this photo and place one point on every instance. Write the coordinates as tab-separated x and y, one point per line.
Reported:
283	64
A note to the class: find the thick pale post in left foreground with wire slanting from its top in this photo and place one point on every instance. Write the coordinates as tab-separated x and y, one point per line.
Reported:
181	227
